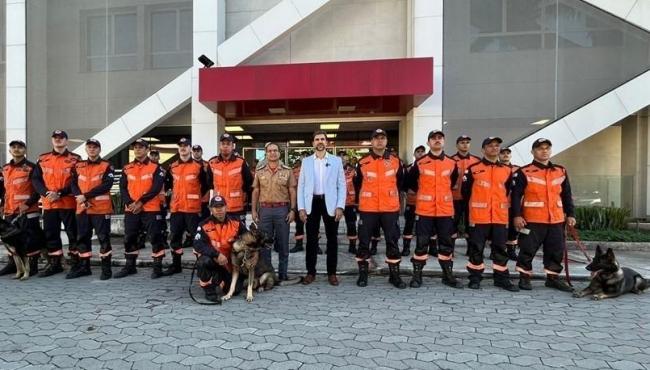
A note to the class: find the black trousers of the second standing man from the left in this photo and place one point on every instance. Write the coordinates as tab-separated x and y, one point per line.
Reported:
52	219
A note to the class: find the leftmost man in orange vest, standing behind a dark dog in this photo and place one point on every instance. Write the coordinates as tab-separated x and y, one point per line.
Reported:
18	198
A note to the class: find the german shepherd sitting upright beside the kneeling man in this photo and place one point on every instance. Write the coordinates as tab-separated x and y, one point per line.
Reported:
245	259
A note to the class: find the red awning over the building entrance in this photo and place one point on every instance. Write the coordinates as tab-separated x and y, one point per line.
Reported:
369	87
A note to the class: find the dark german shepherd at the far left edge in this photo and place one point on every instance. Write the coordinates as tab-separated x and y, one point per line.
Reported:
20	242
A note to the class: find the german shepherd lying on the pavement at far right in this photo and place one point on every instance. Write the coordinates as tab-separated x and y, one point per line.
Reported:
609	280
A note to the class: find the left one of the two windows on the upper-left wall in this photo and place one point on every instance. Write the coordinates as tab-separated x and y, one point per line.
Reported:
111	41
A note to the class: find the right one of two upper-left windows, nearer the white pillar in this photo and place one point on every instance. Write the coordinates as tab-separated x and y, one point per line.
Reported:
171	36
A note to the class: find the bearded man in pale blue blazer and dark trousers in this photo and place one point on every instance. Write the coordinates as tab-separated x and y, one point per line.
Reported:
321	194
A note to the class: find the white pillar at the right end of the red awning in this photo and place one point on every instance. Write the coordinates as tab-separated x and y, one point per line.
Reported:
424	39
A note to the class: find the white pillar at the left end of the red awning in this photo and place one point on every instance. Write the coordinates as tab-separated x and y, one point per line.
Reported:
209	18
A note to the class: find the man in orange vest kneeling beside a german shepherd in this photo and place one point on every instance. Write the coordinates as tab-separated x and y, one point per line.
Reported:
213	245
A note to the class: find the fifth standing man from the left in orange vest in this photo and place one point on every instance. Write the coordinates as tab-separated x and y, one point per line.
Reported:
188	181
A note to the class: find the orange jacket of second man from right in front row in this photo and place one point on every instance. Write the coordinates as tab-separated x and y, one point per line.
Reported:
486	186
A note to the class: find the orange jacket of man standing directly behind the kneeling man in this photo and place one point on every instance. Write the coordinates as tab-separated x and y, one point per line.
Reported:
231	179
